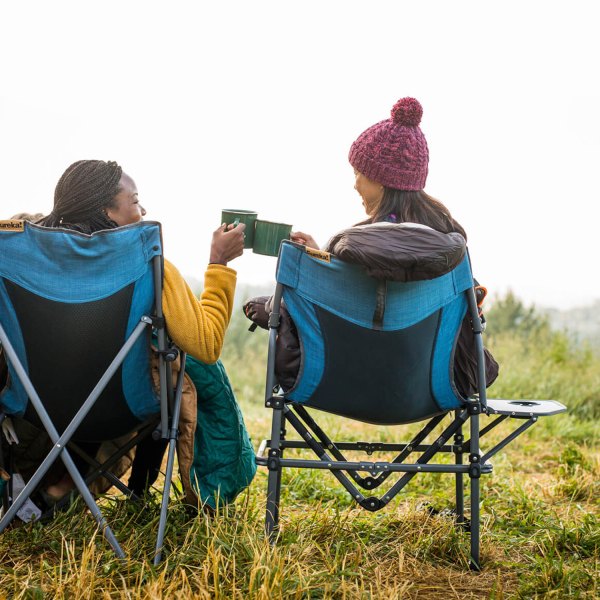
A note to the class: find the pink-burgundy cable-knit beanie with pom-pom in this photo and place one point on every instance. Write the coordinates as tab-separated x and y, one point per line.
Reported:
394	152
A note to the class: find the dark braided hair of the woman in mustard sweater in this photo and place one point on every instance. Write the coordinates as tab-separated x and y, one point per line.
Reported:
83	193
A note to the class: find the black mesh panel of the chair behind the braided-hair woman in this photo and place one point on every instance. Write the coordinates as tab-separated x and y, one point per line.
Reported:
69	346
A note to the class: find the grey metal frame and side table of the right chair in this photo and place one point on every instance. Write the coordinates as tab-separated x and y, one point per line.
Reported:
451	440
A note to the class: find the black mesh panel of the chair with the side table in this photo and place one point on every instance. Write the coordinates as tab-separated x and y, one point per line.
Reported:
380	377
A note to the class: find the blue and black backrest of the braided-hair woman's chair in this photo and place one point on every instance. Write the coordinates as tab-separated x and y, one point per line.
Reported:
68	302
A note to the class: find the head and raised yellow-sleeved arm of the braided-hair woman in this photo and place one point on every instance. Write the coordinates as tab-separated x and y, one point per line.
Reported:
93	195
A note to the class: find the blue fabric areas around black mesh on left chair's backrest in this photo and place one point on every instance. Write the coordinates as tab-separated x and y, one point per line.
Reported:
40	260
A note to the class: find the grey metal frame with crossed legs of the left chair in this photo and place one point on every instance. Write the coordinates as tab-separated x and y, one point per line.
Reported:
168	423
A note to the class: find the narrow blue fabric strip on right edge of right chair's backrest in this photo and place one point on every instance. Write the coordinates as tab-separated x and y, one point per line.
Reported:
443	390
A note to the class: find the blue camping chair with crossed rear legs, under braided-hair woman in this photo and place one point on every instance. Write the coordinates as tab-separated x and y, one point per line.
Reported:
76	316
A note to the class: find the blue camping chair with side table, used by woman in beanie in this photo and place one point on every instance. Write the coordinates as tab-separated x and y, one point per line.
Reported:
383	354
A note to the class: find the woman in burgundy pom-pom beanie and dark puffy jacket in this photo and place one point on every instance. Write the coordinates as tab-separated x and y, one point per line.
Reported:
390	161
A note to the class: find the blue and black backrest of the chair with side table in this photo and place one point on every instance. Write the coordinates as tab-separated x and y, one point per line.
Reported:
408	355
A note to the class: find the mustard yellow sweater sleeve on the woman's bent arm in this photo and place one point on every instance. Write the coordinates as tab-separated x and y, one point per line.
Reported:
197	325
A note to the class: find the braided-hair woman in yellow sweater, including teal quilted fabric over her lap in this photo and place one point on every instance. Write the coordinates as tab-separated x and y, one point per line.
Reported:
94	195
